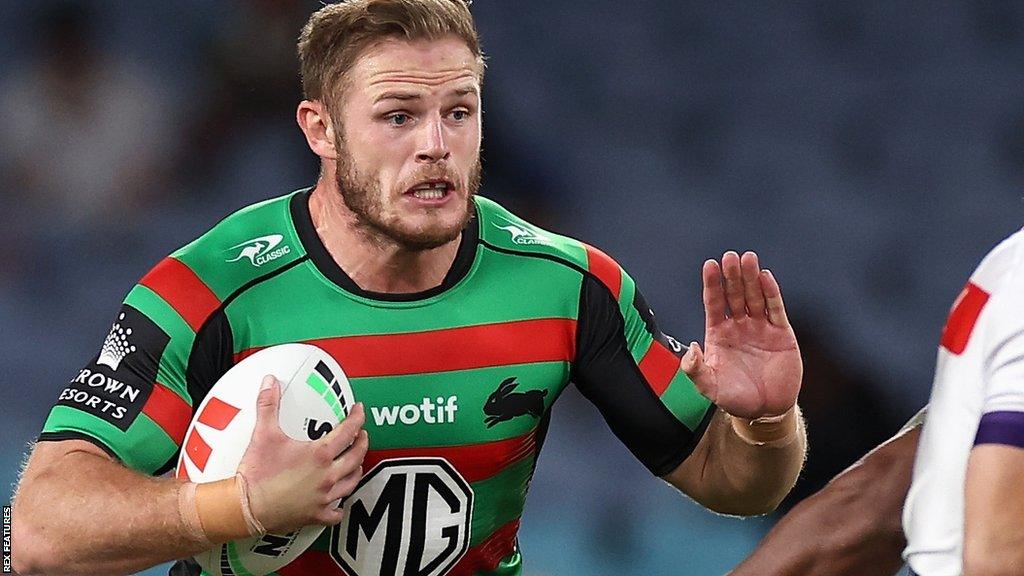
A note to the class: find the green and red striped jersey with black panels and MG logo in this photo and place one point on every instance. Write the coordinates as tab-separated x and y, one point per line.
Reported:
458	382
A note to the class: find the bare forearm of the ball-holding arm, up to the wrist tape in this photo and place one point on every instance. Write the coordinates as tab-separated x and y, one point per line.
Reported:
105	519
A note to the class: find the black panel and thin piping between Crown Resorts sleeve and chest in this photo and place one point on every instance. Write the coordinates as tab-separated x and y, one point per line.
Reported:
214	350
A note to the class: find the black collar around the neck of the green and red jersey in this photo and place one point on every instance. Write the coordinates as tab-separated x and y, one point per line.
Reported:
325	263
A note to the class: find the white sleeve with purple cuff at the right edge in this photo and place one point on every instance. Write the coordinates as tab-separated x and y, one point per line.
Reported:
1002	319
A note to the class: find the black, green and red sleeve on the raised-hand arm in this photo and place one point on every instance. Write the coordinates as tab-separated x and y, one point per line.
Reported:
630	372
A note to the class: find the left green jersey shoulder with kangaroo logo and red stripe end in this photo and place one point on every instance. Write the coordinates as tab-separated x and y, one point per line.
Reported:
244	248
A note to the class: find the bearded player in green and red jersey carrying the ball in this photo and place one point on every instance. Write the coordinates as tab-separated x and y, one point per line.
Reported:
458	323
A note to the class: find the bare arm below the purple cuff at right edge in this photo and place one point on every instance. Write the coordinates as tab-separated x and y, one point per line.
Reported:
994	541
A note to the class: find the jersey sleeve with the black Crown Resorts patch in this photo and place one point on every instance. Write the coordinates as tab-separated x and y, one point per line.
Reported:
165	348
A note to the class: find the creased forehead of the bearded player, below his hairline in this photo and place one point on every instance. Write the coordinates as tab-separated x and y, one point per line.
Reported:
428	63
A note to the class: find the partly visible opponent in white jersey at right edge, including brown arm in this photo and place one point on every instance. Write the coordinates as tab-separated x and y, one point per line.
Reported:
961	515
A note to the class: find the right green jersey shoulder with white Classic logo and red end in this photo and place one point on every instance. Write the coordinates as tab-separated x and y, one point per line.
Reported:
504	232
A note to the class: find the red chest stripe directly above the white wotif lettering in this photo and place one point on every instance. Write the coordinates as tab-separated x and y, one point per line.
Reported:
549	340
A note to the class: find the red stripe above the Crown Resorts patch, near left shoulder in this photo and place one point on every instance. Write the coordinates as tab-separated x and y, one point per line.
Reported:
180	286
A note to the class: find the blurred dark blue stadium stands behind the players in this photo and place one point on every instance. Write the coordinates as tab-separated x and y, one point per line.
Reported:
872	152
